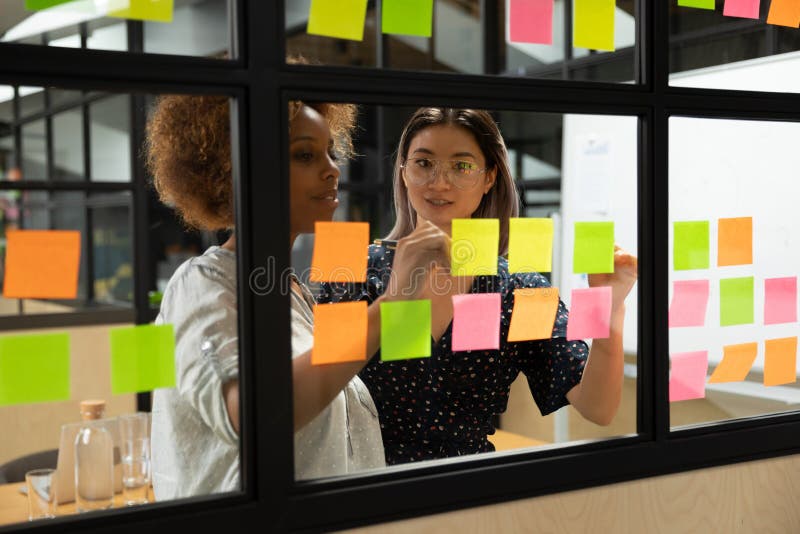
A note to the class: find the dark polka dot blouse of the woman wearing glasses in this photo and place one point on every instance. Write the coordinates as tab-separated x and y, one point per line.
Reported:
443	405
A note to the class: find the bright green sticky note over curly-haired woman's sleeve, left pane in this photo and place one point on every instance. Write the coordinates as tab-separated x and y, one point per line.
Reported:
142	358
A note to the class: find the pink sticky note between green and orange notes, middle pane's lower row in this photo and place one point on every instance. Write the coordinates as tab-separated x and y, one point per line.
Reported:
476	321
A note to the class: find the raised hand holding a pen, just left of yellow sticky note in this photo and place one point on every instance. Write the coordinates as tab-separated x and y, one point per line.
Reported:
419	254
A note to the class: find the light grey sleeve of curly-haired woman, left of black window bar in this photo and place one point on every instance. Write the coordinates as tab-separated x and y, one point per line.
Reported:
200	303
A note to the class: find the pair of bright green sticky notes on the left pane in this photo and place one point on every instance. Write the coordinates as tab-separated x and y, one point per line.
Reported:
36	368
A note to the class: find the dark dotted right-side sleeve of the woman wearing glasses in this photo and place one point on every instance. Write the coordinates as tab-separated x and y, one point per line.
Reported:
552	366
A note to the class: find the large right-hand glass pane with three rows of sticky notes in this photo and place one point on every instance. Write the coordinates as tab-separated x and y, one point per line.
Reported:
733	302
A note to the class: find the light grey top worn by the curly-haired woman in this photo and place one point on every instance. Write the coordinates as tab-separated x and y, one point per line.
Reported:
194	447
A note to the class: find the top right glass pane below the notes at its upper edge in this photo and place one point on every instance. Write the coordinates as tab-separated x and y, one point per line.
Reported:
711	50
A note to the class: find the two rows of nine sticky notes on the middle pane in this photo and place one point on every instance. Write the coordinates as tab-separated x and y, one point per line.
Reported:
340	255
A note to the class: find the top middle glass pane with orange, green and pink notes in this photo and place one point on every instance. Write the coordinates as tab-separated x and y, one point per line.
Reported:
463	40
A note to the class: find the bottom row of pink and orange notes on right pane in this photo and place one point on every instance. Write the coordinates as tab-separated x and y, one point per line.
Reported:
688	370
